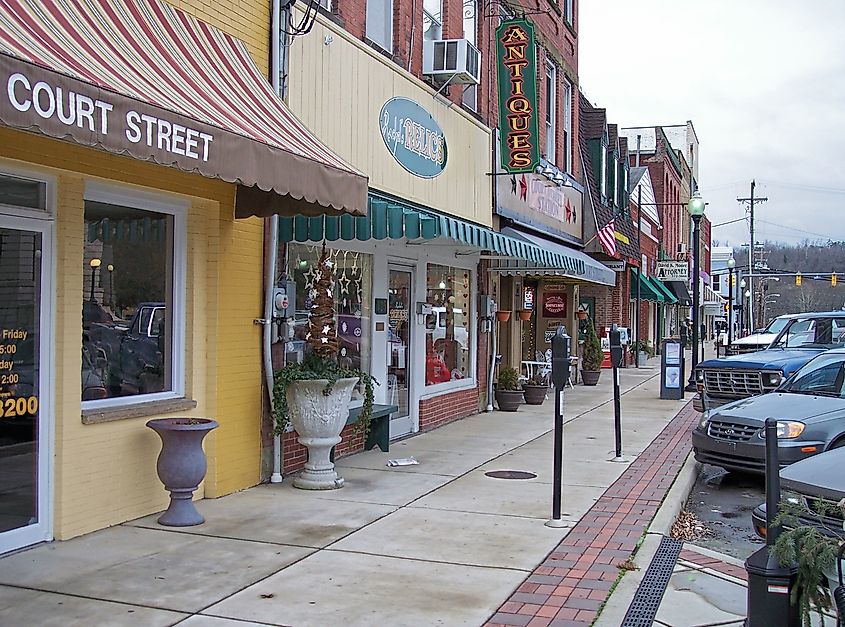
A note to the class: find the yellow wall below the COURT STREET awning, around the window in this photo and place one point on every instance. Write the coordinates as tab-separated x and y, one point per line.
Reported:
105	473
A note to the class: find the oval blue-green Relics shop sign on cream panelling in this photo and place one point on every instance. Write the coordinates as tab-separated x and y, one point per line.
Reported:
412	136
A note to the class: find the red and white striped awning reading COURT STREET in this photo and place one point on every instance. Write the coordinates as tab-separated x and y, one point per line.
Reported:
140	78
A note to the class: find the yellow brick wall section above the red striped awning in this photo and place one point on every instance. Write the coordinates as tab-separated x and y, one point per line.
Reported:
247	20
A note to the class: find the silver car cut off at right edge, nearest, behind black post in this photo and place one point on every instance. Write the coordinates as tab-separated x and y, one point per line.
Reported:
817	487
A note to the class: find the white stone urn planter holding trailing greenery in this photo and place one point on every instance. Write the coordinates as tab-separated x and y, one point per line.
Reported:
318	419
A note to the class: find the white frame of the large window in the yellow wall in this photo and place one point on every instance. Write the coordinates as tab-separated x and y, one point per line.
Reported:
134	198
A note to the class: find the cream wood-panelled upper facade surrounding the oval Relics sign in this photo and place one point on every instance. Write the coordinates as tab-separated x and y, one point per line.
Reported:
338	90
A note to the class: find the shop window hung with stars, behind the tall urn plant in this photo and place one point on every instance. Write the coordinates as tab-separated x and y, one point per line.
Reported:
353	298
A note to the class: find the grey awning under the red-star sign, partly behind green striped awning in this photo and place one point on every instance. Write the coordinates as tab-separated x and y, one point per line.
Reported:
587	269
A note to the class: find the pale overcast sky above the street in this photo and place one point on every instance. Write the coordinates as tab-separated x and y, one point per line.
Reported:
763	82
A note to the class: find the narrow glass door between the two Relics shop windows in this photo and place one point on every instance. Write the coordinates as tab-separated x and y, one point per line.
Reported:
400	317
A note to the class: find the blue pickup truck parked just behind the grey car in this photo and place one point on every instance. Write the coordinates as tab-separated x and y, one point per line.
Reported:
721	381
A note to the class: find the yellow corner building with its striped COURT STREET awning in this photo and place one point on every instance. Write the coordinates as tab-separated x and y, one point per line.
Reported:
130	268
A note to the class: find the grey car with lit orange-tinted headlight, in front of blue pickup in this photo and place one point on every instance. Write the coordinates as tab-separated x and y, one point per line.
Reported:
810	408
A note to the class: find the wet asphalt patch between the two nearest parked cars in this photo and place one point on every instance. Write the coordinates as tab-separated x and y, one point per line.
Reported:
723	502
